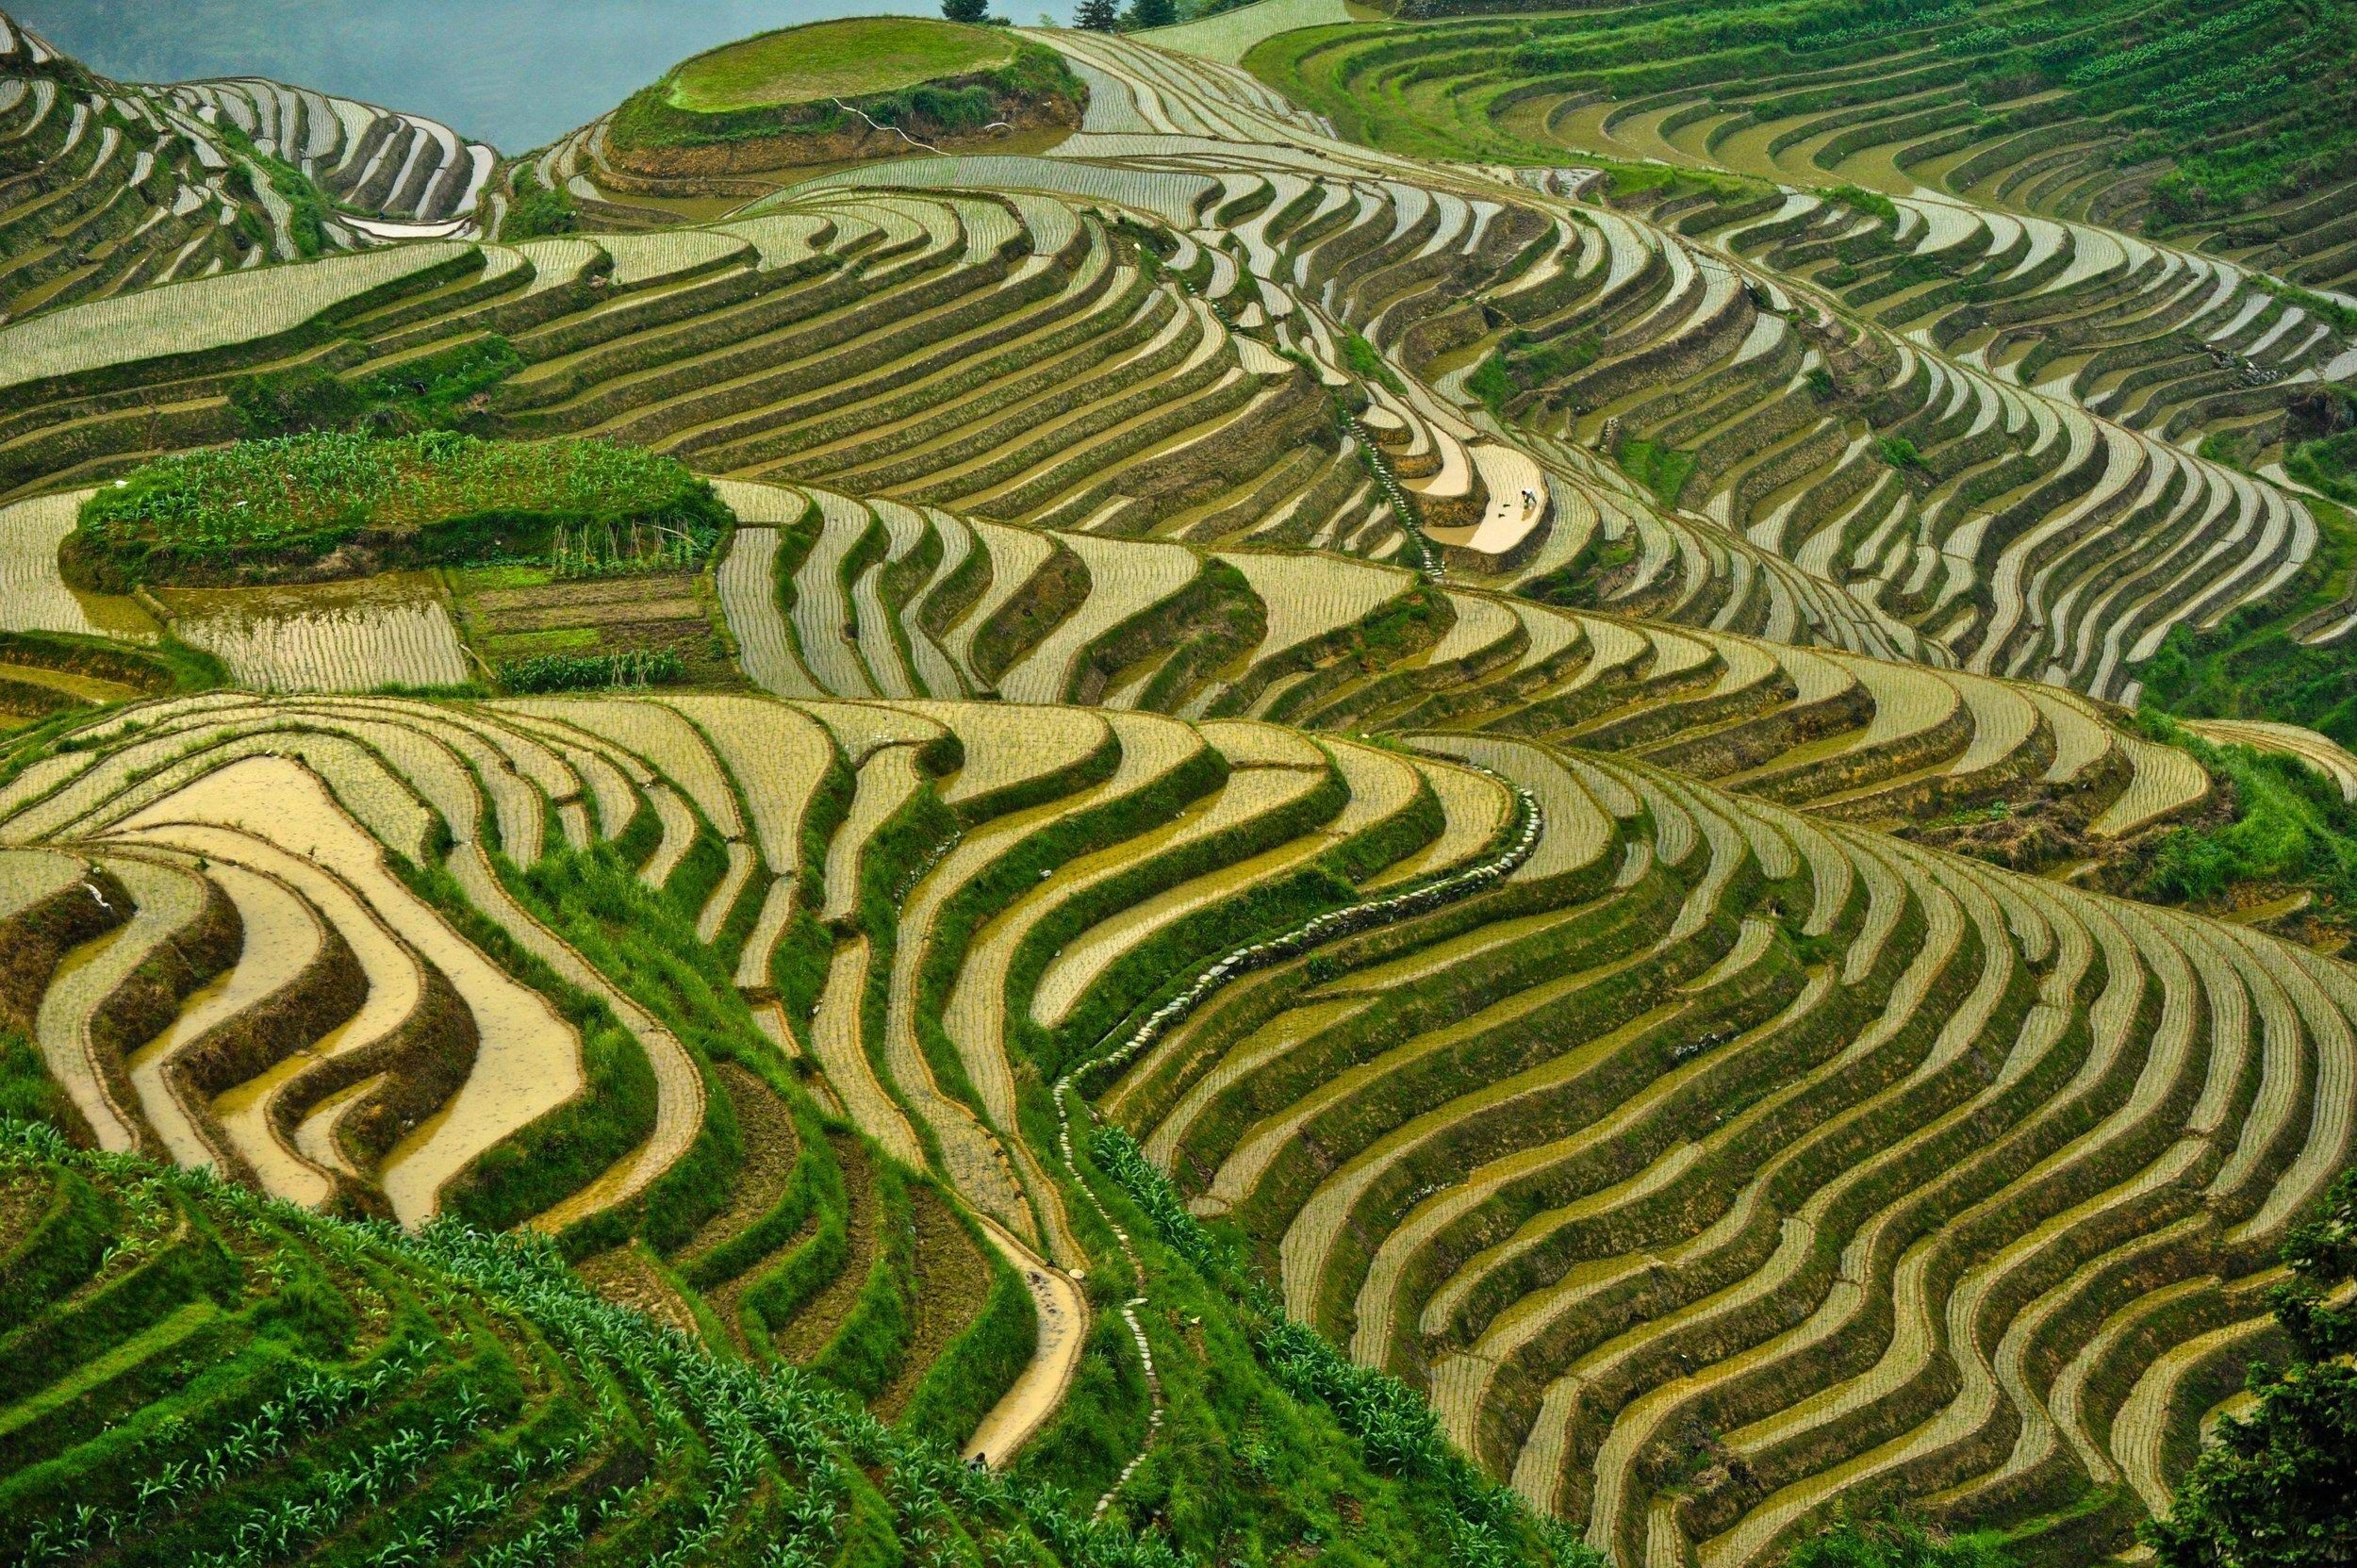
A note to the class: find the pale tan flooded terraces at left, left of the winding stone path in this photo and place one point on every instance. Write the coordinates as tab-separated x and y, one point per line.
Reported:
390	1053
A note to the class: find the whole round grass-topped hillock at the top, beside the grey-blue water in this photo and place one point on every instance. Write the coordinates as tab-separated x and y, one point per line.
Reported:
840	91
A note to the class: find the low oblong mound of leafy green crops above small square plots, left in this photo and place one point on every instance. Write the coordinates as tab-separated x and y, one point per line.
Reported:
336	506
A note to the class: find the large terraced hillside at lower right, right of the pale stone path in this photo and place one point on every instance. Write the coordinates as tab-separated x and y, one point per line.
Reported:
1576	1168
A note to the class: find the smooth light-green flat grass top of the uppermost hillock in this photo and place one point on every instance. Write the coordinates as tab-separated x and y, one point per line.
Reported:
826	60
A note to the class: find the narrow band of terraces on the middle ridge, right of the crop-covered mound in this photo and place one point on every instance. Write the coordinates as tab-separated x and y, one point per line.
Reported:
1840	734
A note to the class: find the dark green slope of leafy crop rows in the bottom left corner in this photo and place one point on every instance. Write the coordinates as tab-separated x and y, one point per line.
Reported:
272	1385
